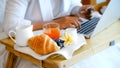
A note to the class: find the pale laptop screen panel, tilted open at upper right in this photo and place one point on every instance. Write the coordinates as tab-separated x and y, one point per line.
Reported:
111	14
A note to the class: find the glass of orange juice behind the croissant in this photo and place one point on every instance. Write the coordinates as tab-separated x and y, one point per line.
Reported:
52	30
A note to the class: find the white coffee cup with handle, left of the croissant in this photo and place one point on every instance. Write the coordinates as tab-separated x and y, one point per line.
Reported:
22	34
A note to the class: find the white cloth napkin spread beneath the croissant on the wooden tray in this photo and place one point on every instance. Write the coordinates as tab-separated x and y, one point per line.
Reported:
65	52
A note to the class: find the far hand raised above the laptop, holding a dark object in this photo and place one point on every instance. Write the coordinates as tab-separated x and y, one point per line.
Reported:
85	11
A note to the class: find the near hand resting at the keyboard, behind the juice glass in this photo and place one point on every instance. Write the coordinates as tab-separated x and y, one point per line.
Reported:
68	22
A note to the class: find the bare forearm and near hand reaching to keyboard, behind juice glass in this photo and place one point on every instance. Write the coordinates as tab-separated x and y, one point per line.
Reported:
64	22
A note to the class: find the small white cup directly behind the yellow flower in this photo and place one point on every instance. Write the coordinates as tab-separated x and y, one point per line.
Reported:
73	33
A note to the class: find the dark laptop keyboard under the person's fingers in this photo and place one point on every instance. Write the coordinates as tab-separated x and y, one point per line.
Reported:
88	26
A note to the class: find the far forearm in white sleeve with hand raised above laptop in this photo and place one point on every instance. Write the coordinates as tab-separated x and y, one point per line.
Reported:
83	11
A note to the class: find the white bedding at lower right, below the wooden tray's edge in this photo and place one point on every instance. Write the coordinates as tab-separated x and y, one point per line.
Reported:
109	58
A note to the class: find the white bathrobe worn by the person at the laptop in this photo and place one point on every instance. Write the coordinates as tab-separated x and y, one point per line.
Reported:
23	12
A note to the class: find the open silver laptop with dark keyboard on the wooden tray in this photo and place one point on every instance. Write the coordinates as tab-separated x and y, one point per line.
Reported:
110	15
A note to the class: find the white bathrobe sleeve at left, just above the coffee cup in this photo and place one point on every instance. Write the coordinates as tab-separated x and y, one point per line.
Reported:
15	13
